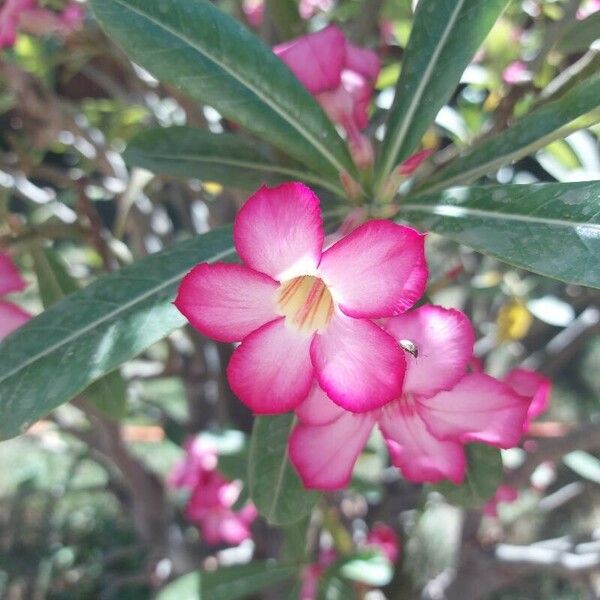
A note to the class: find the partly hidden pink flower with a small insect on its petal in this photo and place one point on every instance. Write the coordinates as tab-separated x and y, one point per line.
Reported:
440	409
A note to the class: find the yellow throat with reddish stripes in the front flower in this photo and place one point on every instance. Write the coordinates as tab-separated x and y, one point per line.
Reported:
306	303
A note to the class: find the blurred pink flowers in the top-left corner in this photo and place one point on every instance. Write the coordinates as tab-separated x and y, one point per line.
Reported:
28	16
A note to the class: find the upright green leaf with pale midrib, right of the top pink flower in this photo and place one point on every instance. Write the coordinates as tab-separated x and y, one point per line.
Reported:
445	36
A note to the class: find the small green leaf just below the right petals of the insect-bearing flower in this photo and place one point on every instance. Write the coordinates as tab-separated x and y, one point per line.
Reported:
484	475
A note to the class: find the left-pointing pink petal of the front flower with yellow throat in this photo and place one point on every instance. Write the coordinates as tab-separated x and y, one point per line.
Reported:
227	302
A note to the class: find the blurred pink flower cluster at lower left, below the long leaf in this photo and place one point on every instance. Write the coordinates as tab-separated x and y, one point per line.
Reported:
210	505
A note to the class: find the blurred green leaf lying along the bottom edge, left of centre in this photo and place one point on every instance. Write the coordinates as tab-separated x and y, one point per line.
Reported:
228	583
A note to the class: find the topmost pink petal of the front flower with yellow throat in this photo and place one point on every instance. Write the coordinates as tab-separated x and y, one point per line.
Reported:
279	231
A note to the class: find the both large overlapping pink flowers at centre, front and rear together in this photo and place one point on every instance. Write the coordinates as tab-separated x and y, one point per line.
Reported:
326	331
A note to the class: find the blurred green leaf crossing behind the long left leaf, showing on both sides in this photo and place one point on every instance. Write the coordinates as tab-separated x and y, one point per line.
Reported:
108	394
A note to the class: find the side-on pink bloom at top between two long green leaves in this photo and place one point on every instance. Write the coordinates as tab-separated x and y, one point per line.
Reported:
341	77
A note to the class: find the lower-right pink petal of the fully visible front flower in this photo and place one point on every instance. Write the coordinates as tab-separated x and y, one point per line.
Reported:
357	364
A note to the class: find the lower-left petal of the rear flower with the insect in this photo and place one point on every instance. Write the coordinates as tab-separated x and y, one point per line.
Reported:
324	455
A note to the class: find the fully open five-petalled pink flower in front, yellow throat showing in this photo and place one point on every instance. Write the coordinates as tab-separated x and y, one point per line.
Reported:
302	312
